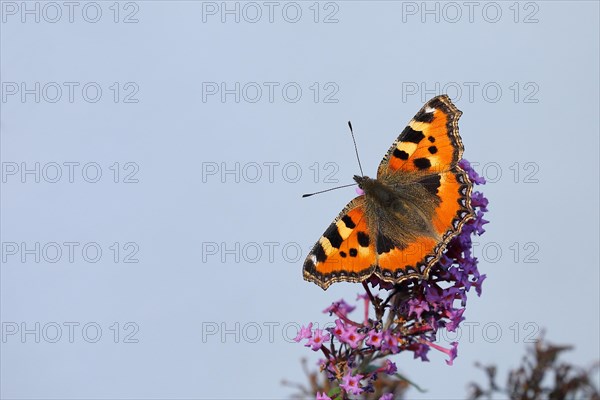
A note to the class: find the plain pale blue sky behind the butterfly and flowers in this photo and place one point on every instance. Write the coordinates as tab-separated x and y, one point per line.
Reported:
378	61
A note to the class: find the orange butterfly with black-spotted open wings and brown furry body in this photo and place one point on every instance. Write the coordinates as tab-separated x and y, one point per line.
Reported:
401	224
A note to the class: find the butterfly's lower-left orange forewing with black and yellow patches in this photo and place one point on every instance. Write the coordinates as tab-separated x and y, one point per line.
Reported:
345	252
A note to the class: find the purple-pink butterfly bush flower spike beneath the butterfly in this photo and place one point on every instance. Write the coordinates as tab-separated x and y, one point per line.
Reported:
407	316
